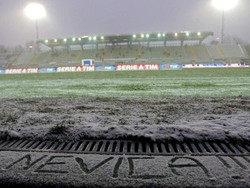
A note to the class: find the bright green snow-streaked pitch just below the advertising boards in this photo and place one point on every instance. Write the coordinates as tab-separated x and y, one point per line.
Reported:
188	82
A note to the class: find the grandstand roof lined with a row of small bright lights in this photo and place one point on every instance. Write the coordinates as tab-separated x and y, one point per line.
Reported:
127	38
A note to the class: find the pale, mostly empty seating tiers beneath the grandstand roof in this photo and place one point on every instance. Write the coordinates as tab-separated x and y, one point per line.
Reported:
126	54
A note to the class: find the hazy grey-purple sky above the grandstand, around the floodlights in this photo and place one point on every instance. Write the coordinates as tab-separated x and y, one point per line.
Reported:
74	18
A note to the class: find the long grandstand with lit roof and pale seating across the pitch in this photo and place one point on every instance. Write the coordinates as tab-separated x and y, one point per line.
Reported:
182	47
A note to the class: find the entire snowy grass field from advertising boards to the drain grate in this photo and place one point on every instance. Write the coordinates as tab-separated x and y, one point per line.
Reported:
70	119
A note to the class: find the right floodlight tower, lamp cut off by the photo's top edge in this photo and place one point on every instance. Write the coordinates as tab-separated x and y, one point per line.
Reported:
224	5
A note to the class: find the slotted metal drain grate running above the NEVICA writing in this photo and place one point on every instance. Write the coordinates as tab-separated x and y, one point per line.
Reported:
126	147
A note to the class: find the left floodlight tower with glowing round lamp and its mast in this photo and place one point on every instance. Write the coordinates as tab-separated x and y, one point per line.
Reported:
35	11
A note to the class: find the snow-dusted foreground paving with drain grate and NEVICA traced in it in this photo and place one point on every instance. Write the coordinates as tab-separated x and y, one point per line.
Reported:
123	163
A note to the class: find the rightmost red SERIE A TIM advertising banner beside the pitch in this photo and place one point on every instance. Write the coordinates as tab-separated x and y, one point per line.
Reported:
134	67
